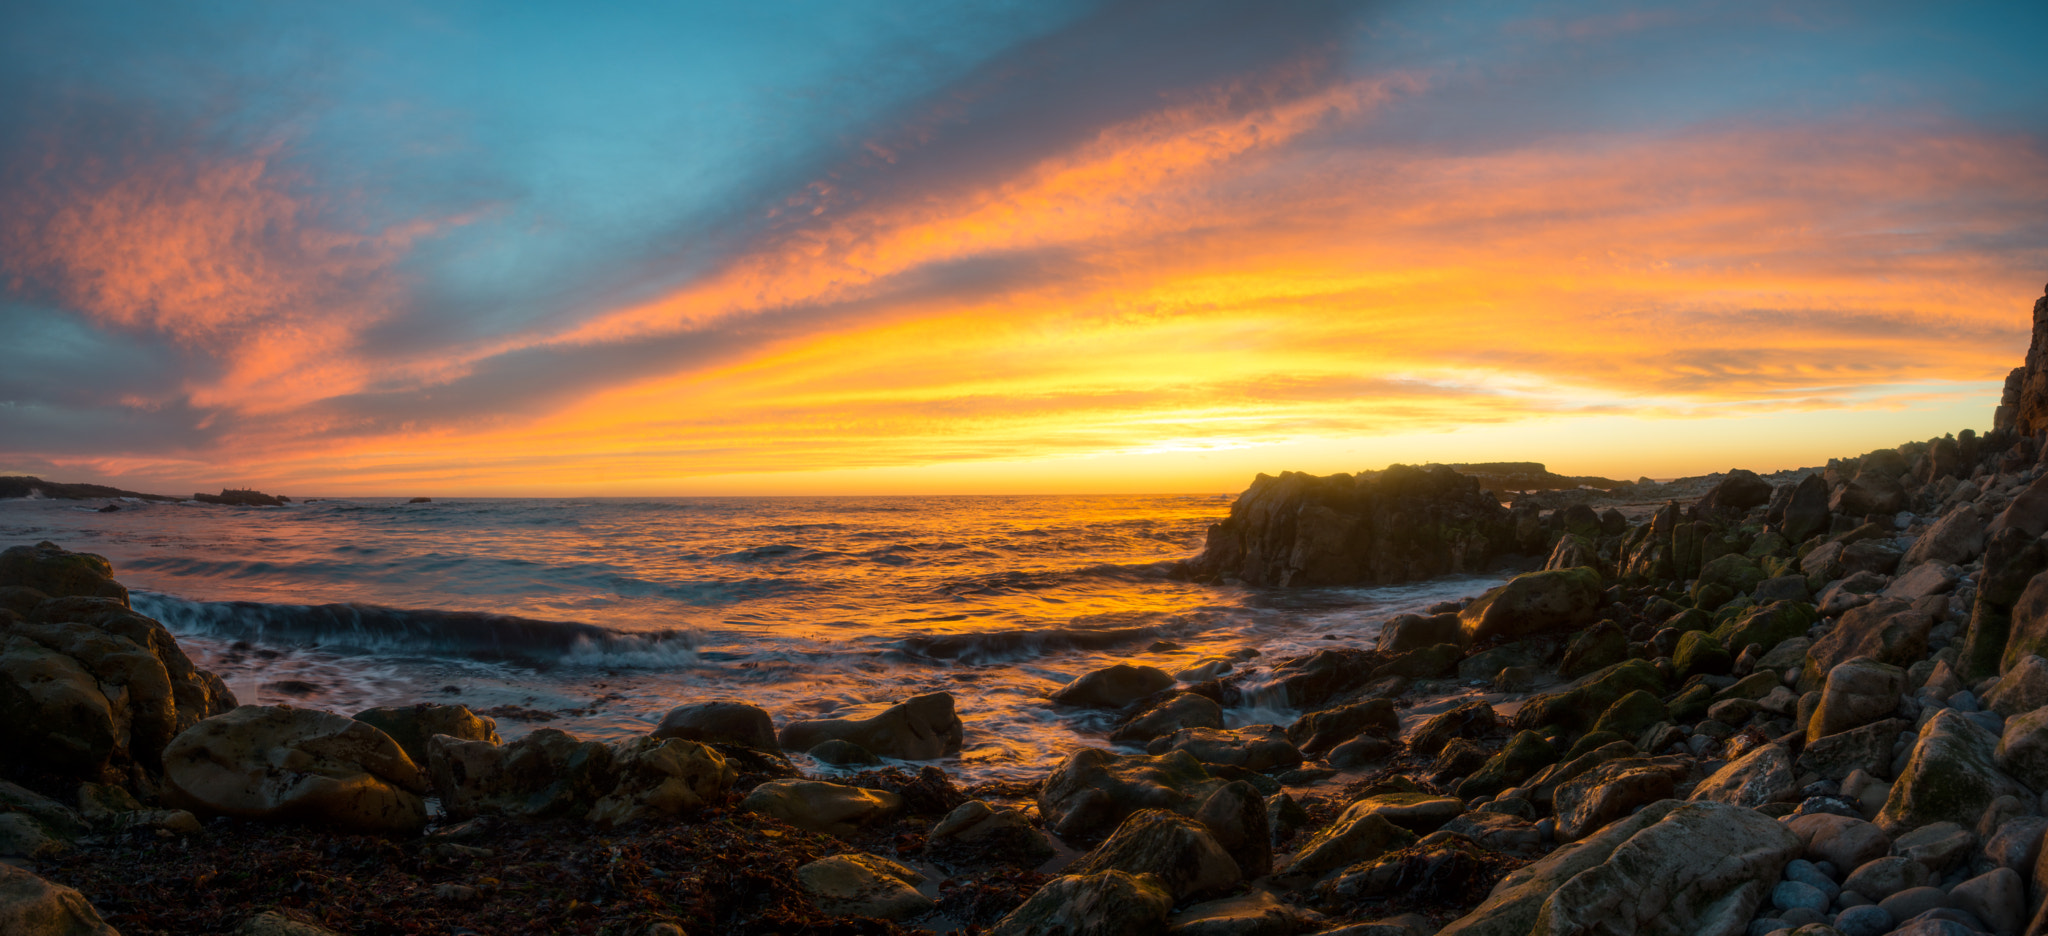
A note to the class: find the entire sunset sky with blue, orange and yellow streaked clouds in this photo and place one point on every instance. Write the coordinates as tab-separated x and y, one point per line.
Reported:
1007	247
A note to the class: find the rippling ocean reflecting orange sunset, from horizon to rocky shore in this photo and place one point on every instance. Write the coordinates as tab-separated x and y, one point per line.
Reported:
607	611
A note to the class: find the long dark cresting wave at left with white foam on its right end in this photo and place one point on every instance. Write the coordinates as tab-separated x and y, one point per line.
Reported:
421	632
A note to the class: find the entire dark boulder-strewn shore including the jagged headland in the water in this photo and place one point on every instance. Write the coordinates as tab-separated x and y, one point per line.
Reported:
1811	704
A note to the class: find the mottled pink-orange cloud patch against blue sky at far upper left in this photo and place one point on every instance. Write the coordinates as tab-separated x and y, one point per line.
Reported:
218	255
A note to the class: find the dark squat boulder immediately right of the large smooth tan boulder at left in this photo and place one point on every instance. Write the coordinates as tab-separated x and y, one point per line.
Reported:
544	775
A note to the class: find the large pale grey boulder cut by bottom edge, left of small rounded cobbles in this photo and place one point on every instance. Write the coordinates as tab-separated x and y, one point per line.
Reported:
1703	869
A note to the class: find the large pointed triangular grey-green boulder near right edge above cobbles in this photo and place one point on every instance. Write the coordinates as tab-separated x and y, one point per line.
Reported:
1953	775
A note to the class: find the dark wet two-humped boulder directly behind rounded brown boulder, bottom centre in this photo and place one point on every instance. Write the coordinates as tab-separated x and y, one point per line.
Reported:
1093	792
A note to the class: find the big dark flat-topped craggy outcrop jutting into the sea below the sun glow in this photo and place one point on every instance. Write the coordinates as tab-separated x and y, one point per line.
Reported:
1373	529
